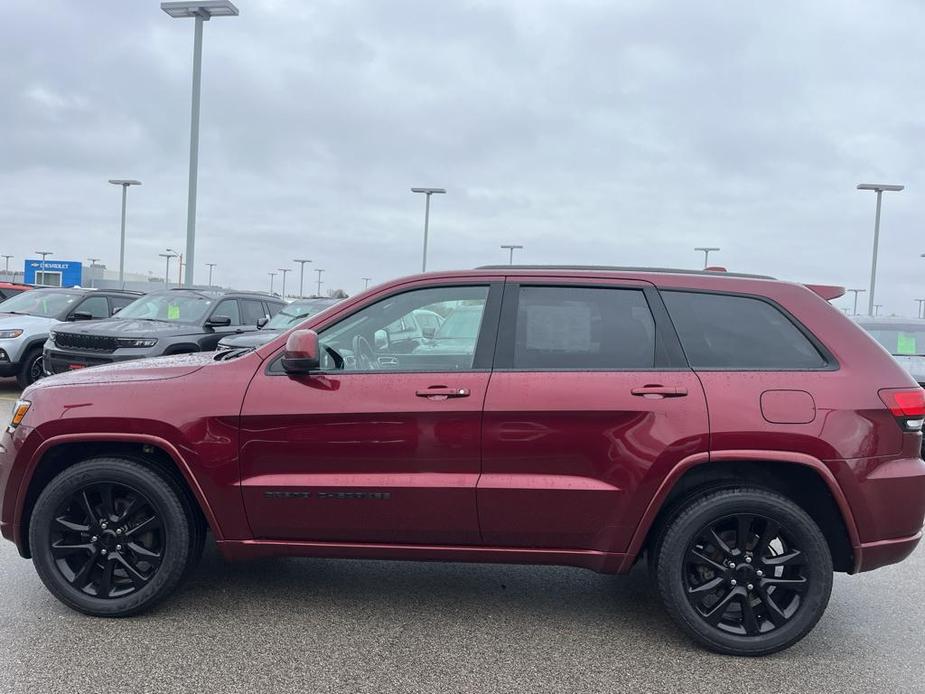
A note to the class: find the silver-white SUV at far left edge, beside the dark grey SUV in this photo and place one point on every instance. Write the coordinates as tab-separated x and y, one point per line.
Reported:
25	320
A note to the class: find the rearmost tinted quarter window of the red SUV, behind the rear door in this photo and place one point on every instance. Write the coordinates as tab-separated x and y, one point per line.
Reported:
719	331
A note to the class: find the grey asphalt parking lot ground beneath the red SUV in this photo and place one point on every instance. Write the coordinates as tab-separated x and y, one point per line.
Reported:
318	625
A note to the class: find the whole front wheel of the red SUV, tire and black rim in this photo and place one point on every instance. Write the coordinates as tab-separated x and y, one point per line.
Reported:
116	559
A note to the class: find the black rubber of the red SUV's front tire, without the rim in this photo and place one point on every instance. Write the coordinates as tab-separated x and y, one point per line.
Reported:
176	524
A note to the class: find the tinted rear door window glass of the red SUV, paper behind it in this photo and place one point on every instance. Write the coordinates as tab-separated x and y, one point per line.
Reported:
583	328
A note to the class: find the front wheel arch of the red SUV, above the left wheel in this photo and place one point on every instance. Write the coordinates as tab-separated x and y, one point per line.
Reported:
59	453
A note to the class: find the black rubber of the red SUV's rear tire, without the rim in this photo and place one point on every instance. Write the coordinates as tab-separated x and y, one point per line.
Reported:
669	566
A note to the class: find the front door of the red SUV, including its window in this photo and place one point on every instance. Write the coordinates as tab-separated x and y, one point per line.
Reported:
382	444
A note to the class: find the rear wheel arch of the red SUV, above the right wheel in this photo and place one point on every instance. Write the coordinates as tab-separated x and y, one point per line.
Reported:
804	479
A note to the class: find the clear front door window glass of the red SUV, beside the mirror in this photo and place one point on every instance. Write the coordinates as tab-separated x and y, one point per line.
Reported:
386	336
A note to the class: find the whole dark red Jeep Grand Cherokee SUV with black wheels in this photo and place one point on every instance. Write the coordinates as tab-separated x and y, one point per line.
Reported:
740	432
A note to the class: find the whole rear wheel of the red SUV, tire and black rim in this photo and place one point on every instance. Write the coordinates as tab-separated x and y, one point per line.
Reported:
779	585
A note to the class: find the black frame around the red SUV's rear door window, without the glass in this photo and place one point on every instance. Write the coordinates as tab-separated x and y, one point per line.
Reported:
668	353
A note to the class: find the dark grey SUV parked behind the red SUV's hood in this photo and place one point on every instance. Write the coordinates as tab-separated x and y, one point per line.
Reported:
176	321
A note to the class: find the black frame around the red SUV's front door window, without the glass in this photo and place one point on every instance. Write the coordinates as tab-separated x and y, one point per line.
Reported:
482	359
